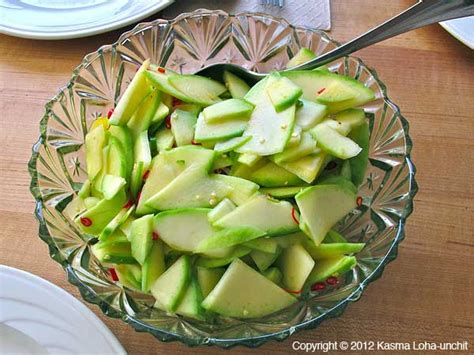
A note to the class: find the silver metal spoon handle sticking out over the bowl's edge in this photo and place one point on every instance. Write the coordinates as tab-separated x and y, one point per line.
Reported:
421	14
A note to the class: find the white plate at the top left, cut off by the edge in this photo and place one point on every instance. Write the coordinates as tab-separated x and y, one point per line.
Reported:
61	19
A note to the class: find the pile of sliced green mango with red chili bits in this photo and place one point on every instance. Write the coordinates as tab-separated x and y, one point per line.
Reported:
218	197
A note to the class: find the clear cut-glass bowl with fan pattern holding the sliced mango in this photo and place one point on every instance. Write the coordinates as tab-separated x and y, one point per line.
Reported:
190	41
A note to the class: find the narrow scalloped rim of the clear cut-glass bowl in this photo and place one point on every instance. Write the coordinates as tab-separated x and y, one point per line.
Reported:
254	341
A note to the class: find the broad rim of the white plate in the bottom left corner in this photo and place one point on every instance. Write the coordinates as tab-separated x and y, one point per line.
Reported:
51	316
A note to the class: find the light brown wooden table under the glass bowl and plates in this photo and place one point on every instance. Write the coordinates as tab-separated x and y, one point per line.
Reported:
427	294
